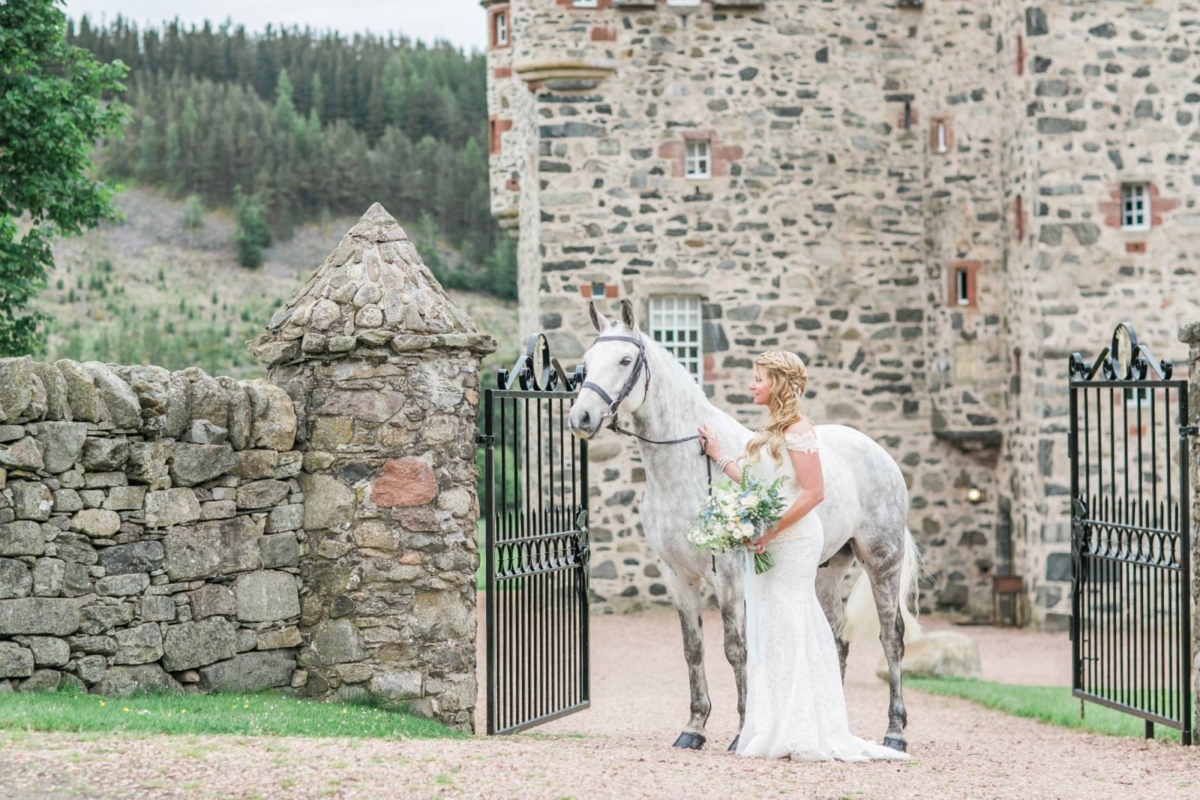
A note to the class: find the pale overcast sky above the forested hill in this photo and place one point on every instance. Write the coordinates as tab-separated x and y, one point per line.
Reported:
461	22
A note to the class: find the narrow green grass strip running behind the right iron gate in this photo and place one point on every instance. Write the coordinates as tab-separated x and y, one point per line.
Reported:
1052	705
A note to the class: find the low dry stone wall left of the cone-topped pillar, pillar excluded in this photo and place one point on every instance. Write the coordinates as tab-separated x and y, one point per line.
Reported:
152	531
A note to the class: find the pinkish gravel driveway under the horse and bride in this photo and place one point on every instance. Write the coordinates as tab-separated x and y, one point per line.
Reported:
621	747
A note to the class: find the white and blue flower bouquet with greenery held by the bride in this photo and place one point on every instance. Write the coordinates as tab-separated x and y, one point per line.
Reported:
736	514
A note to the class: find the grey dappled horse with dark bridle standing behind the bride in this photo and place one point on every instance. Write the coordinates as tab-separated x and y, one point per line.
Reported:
865	513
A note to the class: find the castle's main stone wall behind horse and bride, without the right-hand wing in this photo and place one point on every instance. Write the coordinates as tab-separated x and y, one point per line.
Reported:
814	234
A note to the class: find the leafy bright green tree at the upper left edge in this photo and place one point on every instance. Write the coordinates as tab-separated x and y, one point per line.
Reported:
52	113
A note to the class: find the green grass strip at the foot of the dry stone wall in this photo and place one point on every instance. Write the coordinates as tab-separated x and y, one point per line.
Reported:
265	714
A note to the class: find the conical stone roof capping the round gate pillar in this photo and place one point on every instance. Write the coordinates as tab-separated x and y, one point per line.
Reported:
374	291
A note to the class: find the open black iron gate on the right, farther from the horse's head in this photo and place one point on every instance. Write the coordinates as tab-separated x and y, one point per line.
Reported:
1131	594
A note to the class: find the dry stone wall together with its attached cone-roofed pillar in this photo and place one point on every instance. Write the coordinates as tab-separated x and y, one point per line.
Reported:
315	532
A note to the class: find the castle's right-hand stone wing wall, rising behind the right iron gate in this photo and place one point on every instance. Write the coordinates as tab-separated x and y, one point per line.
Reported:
1106	95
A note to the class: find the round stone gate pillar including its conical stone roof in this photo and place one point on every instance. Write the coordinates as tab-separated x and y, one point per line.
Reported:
385	372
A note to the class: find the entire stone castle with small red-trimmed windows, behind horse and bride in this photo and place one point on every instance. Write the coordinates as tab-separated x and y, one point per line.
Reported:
933	204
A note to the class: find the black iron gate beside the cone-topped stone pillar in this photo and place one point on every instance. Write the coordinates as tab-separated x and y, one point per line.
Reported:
537	545
